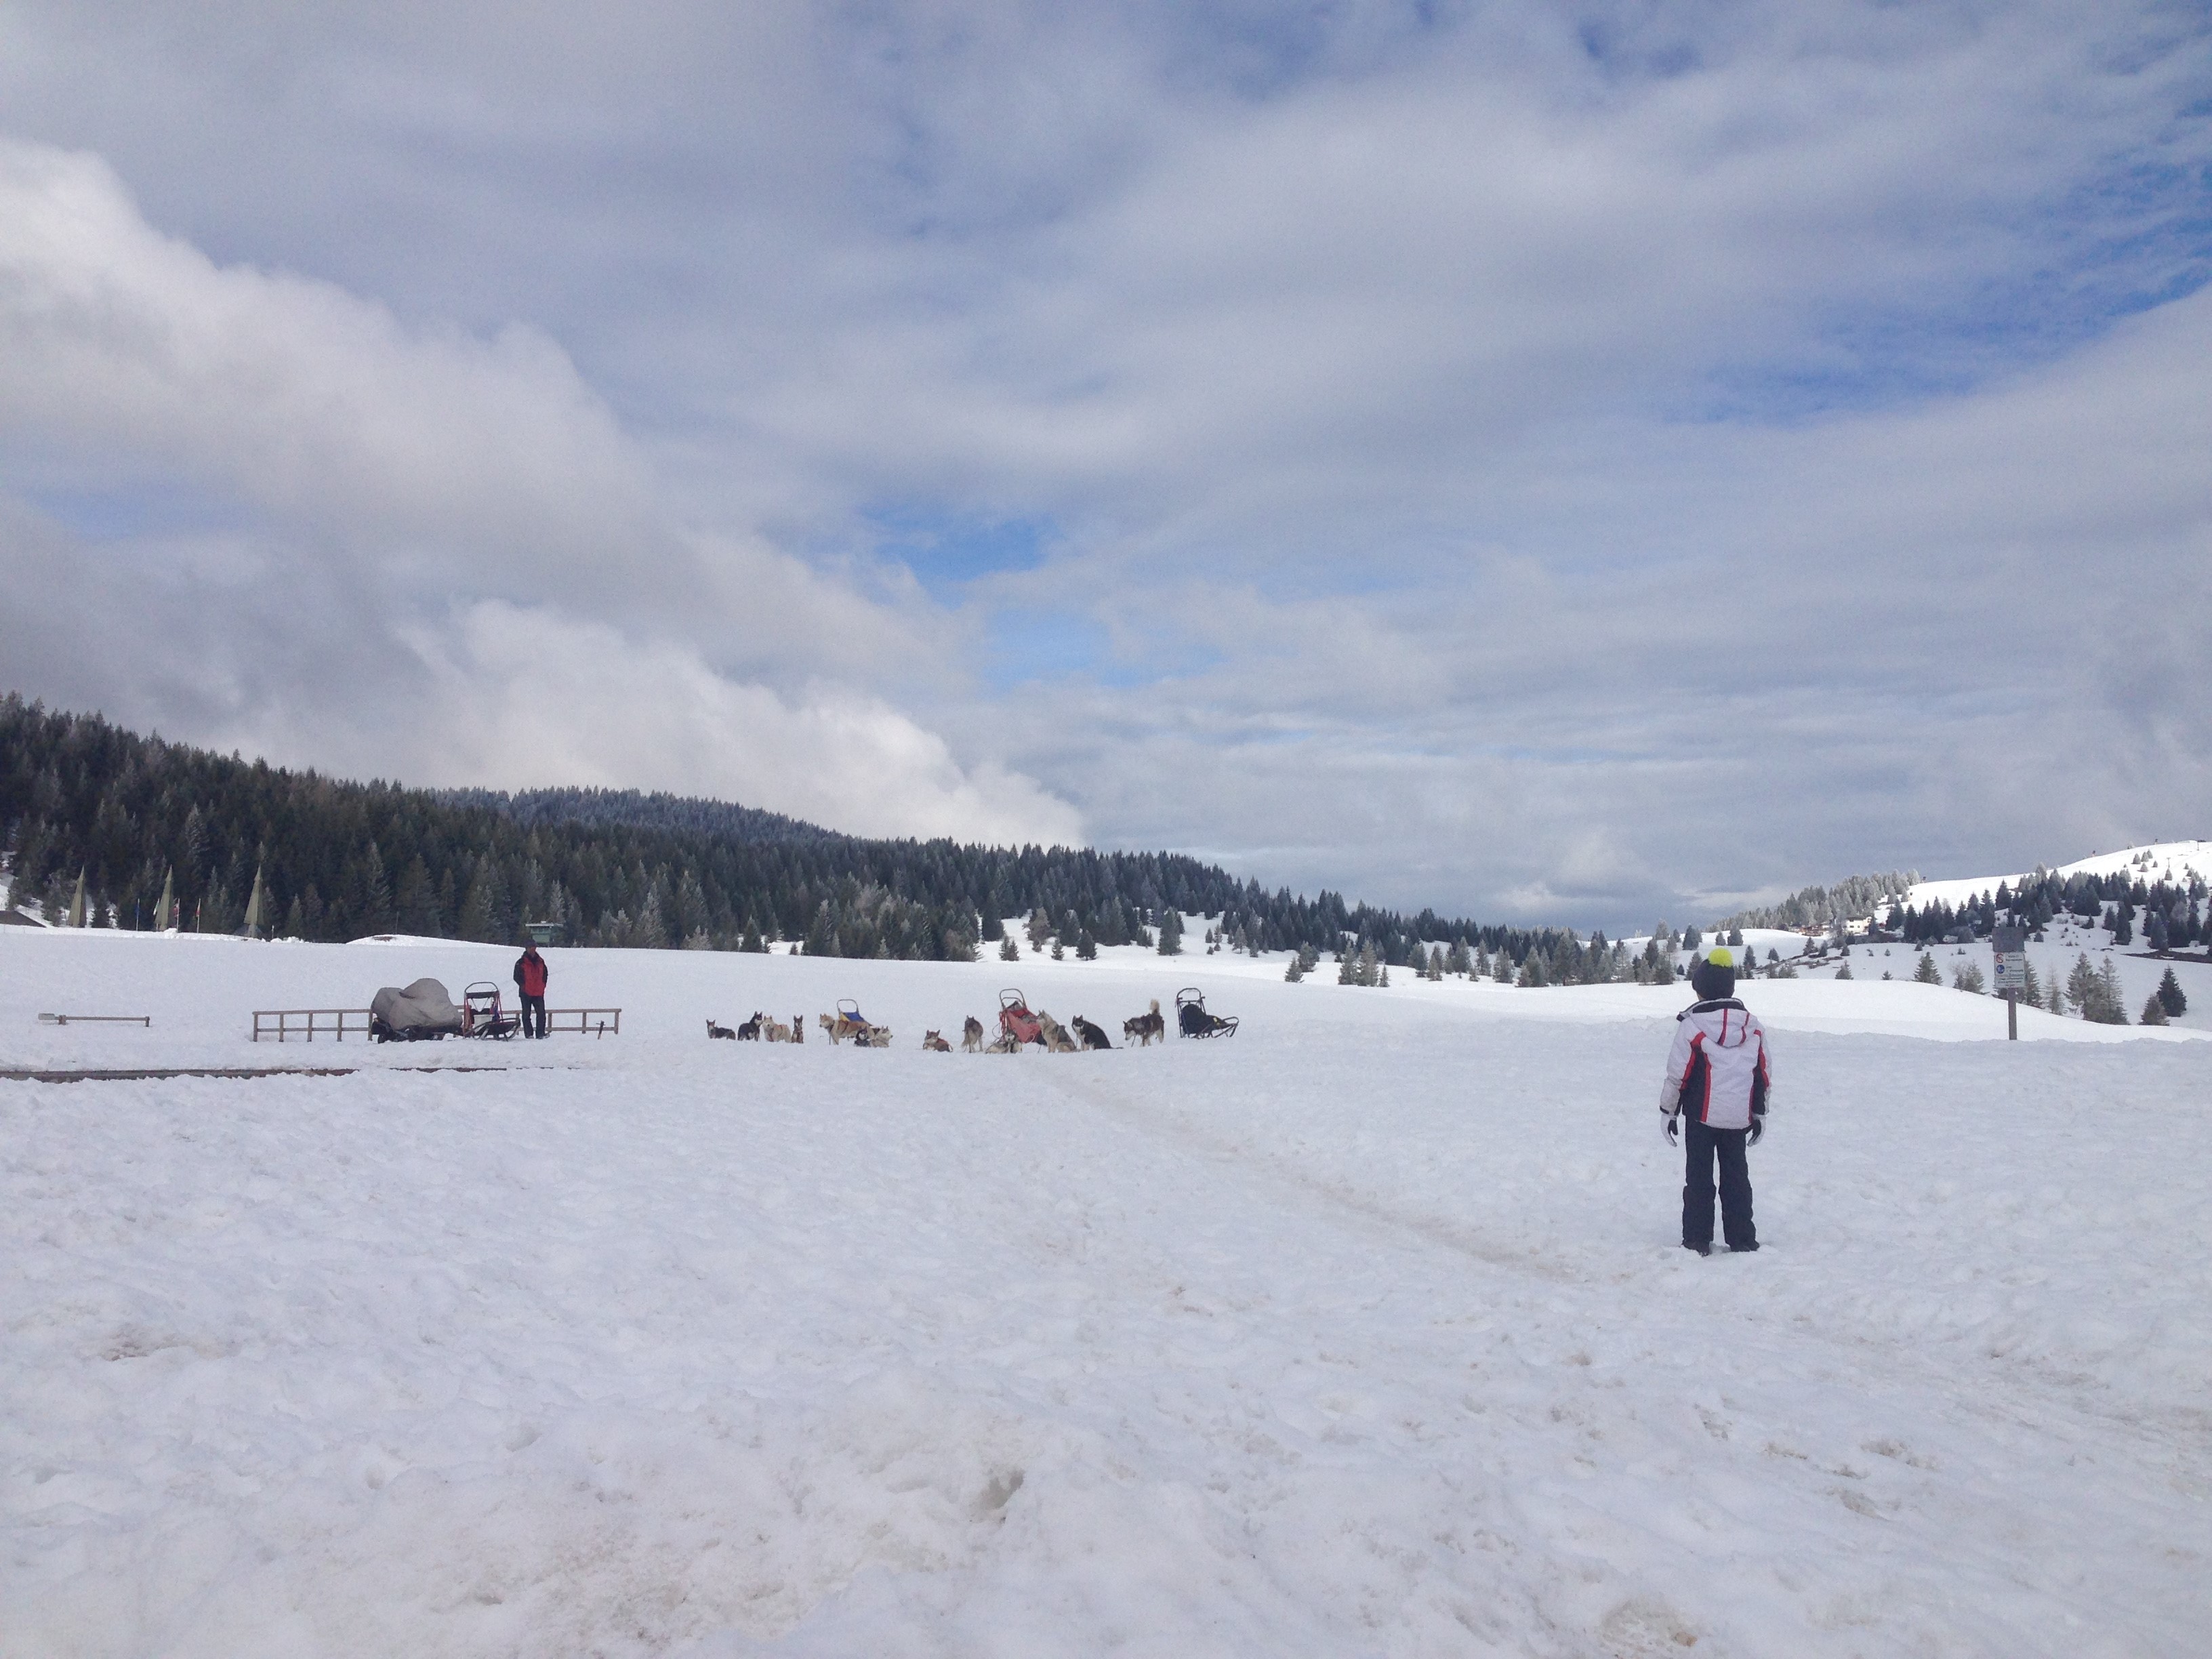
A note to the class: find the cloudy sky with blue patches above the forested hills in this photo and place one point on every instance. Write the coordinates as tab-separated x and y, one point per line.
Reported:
1545	461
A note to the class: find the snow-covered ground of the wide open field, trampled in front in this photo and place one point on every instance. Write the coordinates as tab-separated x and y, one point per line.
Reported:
1357	1335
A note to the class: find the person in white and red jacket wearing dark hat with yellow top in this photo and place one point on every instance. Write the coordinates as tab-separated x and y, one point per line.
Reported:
1718	1083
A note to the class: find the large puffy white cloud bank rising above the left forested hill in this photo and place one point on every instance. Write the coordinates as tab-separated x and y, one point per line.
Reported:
393	490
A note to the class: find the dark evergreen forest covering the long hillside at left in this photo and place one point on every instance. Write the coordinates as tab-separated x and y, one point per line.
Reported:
134	817
